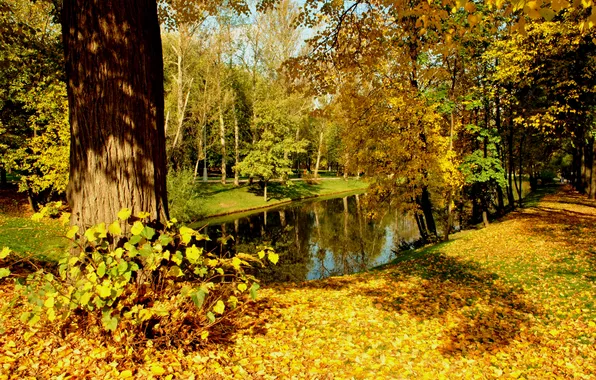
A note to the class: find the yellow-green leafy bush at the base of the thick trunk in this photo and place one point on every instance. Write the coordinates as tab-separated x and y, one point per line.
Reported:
154	283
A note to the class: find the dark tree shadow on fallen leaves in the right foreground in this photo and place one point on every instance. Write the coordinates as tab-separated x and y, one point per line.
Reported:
482	313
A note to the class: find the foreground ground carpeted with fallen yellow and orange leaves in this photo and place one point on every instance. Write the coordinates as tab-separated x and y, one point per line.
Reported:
514	300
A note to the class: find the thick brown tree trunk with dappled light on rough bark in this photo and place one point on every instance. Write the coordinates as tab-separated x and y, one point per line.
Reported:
114	69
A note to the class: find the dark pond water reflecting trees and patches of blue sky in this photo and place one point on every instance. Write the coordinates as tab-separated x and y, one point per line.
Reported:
315	239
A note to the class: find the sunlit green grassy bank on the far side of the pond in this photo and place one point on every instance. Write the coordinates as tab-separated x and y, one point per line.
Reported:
214	199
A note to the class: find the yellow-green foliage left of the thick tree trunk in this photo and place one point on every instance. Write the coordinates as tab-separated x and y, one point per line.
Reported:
34	131
